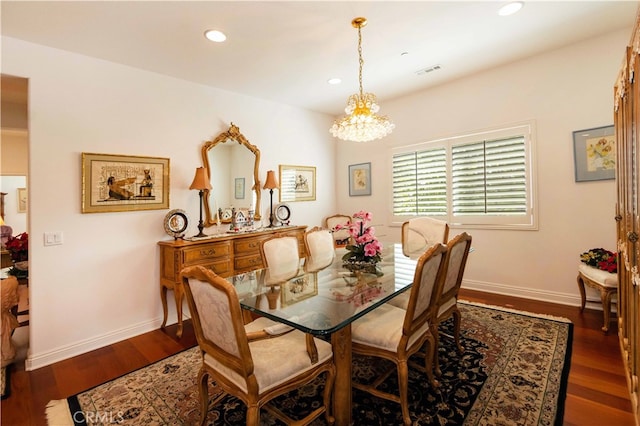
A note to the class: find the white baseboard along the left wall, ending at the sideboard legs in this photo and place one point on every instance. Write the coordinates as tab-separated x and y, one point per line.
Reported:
33	362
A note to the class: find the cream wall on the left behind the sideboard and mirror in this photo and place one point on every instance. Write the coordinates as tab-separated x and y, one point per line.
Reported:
102	284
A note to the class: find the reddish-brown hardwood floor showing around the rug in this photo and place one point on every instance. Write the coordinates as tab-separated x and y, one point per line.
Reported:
597	392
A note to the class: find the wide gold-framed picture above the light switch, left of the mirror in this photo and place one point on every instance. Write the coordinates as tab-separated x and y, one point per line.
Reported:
113	183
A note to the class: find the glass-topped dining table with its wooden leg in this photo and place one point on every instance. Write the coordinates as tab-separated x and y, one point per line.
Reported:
324	301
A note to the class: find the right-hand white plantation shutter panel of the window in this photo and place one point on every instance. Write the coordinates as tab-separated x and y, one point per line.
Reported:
489	177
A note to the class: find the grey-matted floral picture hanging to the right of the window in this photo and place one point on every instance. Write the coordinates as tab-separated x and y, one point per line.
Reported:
595	153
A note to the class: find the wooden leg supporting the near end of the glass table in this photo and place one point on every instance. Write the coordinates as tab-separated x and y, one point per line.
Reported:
341	343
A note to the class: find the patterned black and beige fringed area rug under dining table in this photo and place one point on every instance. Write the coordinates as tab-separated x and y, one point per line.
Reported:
514	372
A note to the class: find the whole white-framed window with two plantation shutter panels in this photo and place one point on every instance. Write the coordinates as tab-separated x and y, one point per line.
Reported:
478	180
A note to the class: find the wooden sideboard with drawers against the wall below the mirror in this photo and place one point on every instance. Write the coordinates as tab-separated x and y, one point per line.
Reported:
226	255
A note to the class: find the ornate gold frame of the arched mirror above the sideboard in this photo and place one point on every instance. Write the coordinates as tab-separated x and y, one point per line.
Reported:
231	135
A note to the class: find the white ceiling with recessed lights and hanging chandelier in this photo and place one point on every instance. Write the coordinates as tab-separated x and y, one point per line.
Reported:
286	51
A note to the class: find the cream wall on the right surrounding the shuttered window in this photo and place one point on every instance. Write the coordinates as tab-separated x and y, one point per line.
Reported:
564	90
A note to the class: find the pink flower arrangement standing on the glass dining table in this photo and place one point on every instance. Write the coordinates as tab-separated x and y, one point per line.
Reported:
365	246
